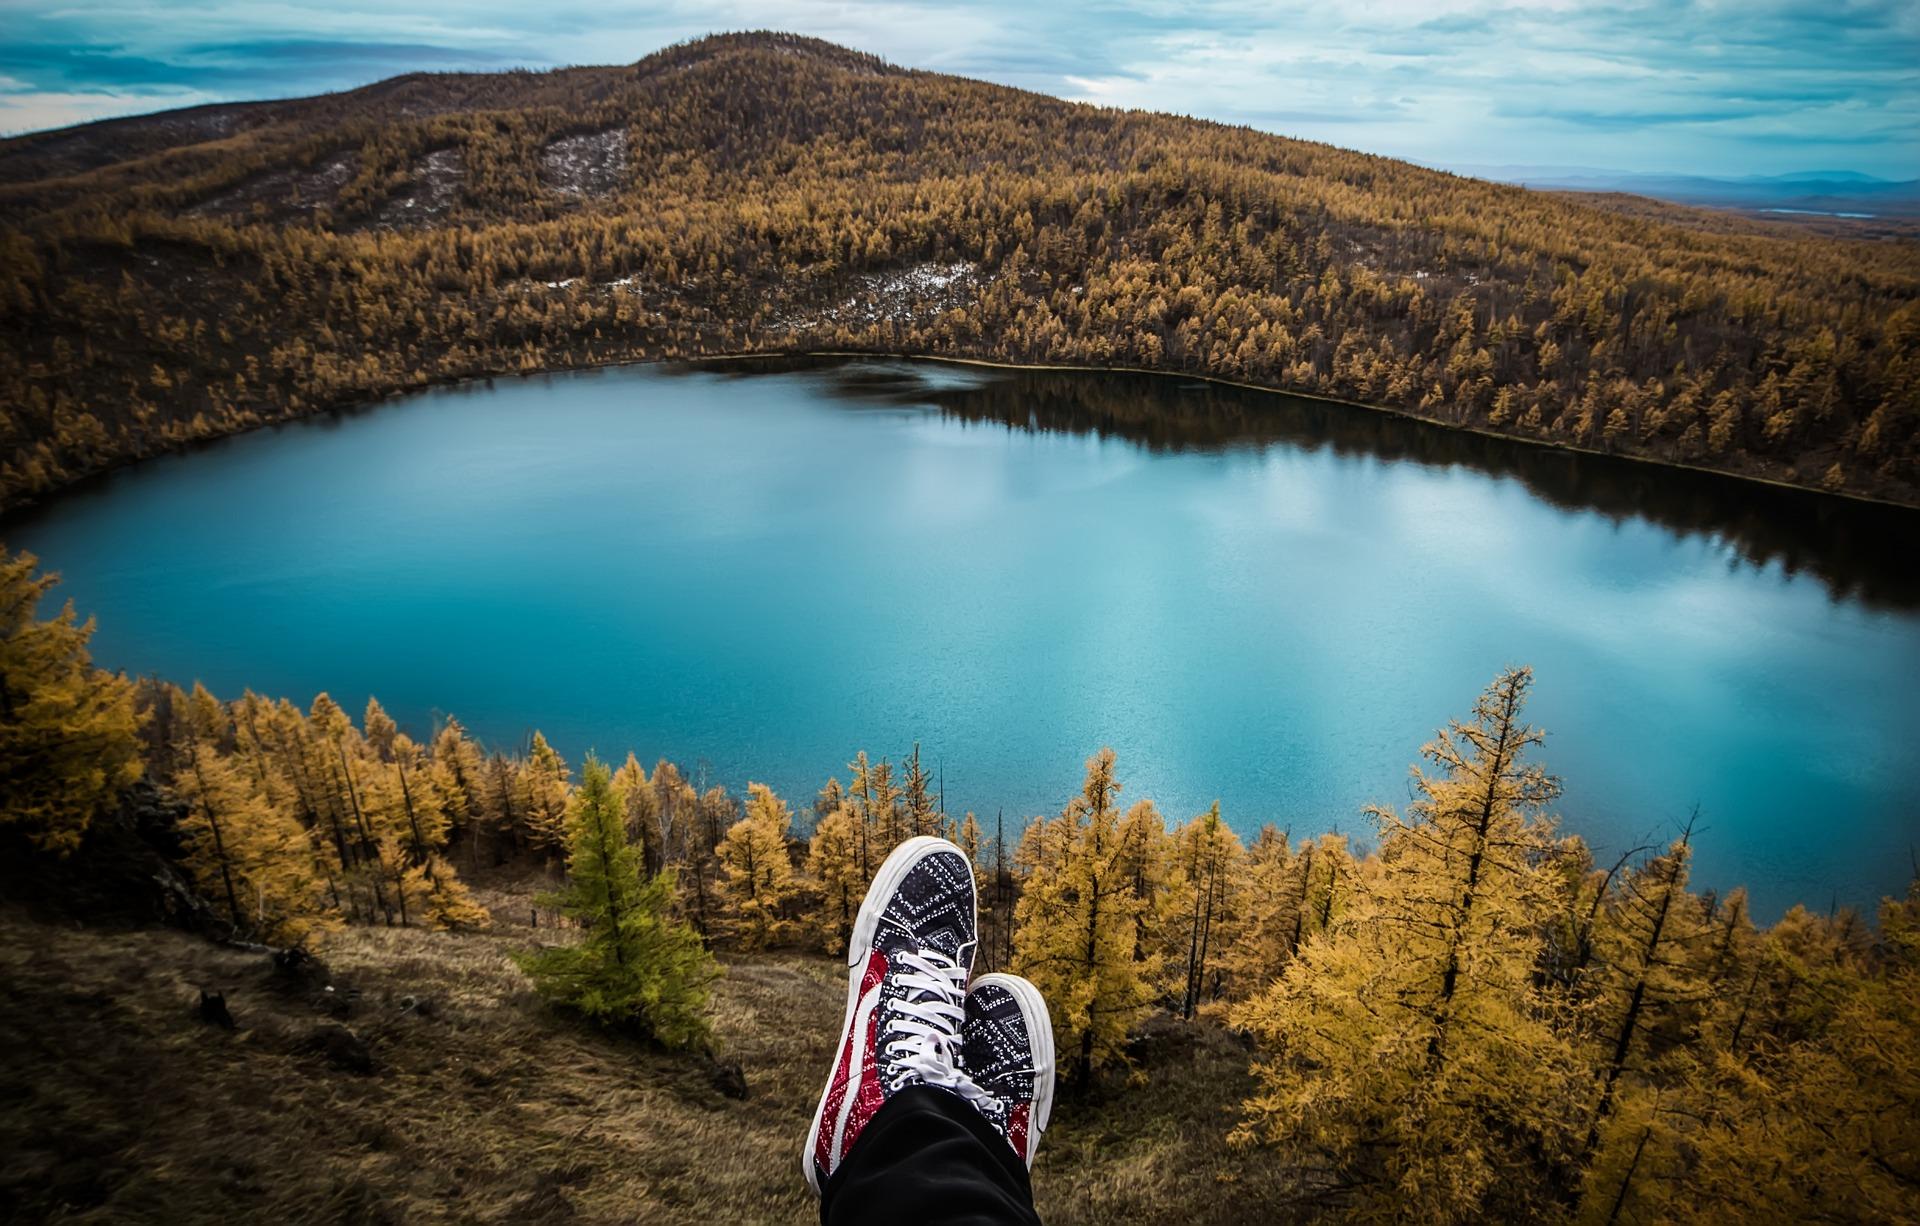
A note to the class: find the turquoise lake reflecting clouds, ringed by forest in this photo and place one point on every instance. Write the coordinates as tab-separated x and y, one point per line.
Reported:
761	569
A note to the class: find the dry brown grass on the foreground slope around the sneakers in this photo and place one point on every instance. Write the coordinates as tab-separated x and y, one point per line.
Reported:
120	1104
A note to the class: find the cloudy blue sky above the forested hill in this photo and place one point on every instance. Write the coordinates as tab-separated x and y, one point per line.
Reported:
1702	87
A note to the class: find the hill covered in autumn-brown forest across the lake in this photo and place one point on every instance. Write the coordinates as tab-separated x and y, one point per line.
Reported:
203	271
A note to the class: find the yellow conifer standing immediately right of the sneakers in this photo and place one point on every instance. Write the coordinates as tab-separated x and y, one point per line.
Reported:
1076	926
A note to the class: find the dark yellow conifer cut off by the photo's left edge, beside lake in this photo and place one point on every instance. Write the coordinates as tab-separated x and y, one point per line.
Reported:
68	732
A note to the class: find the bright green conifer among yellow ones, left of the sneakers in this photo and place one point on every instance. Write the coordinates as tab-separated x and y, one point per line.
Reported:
635	964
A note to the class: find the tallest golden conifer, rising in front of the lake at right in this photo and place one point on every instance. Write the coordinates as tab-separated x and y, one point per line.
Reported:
1410	1050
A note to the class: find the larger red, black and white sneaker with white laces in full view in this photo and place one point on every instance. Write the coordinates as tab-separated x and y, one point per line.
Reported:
907	974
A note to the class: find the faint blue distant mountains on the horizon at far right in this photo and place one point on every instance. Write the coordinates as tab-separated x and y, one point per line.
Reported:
1808	193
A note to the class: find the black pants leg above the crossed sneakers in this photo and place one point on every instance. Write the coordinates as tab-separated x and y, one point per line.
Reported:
930	1160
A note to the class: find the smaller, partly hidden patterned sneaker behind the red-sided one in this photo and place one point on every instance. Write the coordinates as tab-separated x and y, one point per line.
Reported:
1007	1047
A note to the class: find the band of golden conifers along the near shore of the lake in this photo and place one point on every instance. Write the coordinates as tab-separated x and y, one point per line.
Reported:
1476	1018
